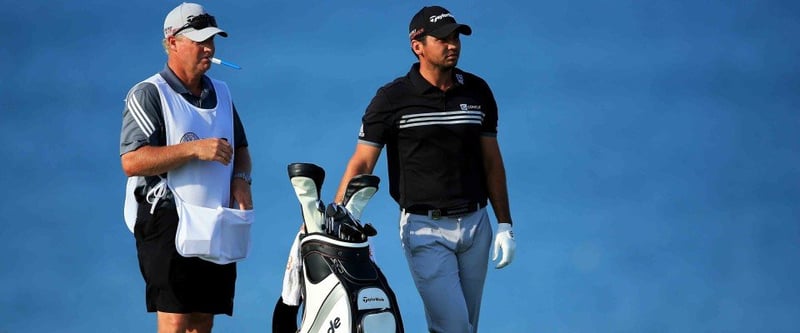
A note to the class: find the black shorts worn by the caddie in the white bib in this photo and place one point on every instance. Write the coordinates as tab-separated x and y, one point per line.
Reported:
174	283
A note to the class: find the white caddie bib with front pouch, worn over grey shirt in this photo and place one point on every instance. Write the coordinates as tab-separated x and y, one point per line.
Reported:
207	228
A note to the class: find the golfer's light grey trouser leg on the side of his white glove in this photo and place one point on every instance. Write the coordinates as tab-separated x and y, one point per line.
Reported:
473	261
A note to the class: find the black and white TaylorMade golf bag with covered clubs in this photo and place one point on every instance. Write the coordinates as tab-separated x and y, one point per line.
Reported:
343	290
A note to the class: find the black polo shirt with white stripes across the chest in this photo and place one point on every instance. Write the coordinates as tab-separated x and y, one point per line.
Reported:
432	138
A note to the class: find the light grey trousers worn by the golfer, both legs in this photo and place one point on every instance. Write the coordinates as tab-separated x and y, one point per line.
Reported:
448	258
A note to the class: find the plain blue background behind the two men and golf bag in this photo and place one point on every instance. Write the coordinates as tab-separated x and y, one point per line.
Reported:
651	147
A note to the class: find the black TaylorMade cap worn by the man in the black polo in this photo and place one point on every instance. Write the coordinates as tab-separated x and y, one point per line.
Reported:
435	21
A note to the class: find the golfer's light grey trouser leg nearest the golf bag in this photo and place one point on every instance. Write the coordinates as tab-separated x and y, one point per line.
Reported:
428	246
